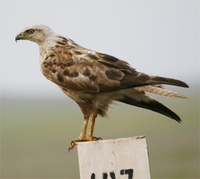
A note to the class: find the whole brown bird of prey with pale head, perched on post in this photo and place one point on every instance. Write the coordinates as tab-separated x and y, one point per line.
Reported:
93	80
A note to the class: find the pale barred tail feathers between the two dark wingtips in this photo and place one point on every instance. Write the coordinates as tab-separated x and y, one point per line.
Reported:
158	89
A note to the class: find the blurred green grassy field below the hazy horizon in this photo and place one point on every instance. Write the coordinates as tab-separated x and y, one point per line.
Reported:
36	134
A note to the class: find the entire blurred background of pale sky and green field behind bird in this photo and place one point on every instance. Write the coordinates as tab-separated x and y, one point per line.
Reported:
38	121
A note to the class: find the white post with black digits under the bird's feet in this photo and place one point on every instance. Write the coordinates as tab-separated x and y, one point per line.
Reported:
123	158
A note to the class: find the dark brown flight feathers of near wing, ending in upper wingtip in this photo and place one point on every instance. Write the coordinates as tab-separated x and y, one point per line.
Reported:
131	77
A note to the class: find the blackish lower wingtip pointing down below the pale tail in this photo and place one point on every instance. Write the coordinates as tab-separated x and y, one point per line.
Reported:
151	104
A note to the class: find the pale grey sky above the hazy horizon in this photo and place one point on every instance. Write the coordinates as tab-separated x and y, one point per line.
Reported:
155	37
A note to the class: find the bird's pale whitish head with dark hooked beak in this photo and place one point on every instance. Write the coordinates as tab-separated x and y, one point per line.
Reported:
37	33
